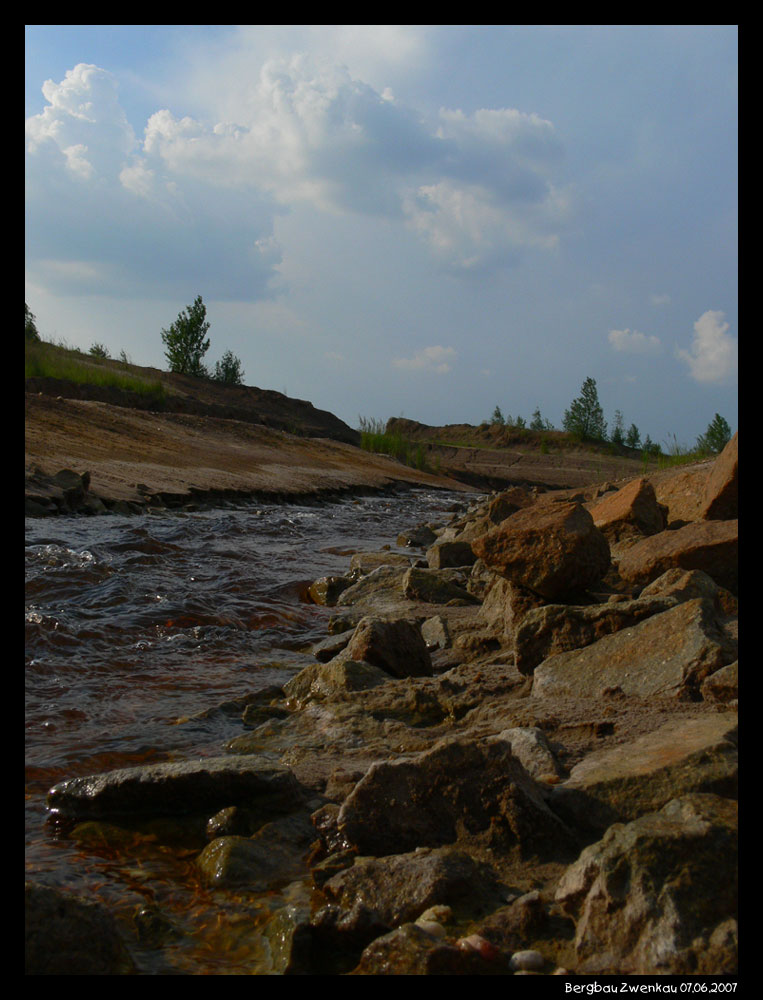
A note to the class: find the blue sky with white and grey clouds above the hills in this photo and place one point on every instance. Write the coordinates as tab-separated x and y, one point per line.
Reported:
425	221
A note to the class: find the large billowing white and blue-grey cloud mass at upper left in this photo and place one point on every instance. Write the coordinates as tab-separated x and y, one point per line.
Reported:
192	201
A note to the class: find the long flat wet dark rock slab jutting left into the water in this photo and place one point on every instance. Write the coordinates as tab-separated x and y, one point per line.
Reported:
182	788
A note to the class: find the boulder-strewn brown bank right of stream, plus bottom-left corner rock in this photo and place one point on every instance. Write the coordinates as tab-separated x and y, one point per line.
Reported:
514	754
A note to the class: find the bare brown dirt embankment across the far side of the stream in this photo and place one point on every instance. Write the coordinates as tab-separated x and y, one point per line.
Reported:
199	438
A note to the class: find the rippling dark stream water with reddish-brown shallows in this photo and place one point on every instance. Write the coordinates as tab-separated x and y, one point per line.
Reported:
135	623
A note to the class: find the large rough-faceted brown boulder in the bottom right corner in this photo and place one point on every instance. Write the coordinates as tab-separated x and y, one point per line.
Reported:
647	897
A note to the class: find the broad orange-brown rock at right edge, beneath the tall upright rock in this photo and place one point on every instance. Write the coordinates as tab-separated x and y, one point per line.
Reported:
712	546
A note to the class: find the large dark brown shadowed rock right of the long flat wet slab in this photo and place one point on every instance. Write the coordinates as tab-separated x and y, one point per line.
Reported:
459	787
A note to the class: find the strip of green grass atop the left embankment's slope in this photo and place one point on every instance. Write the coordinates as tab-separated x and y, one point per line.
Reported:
46	360
